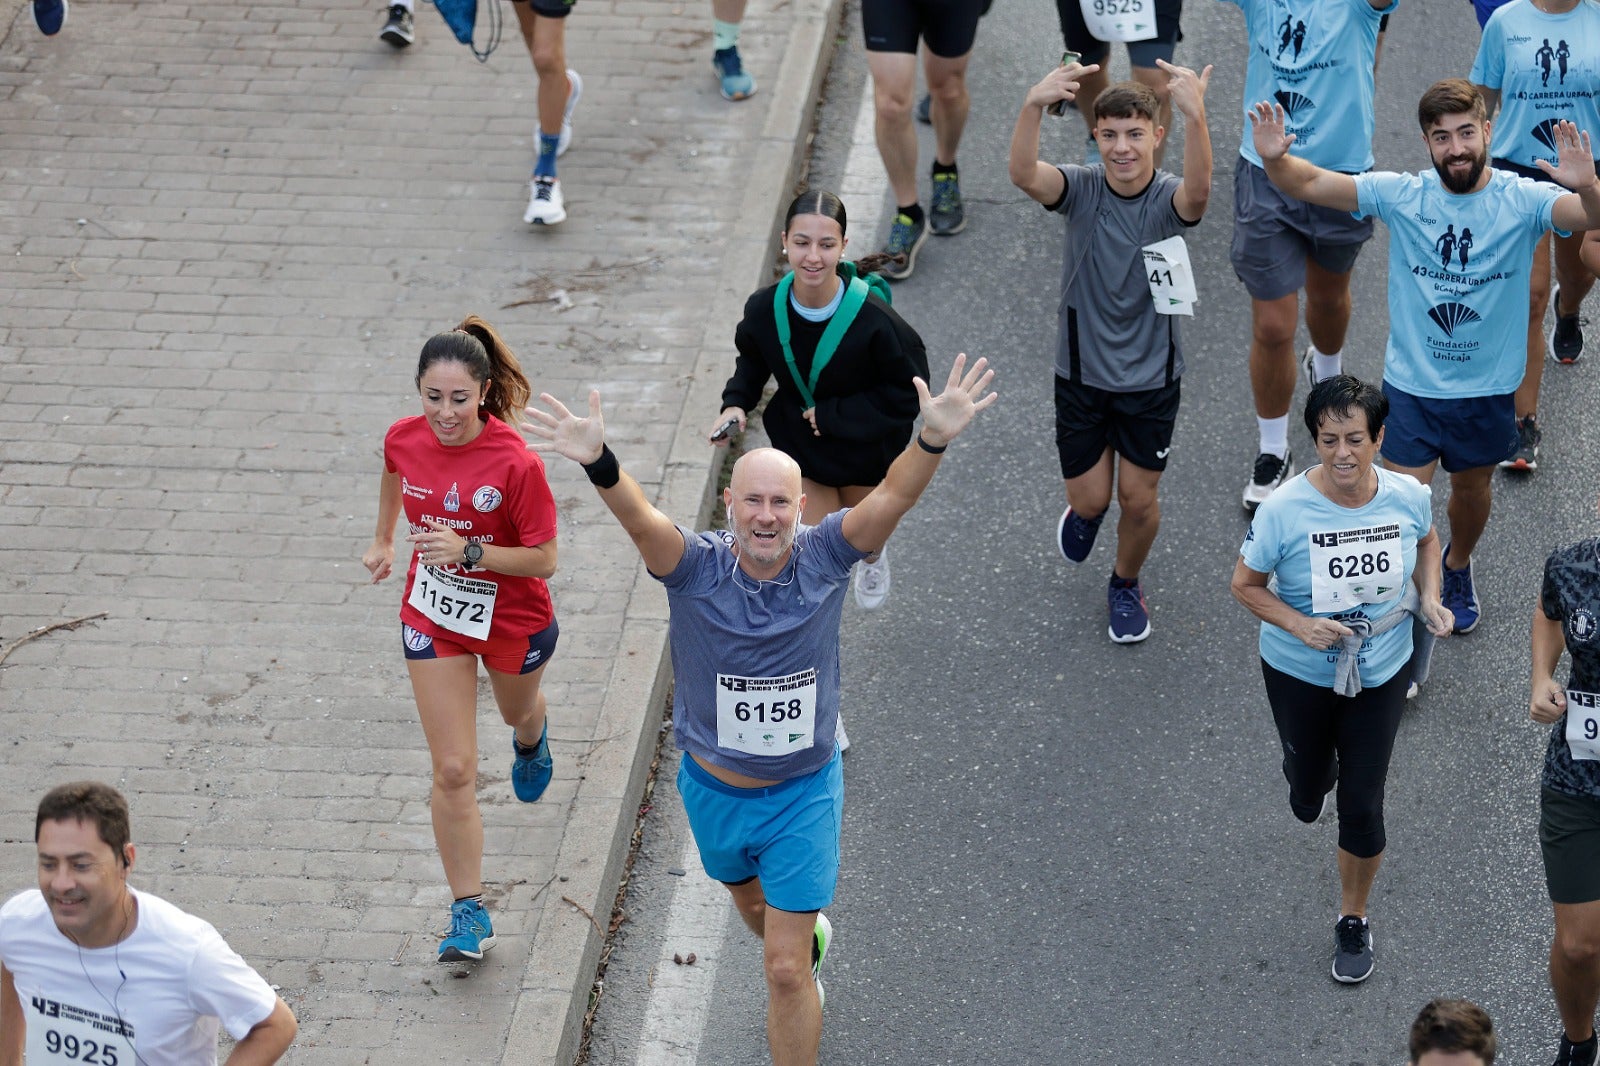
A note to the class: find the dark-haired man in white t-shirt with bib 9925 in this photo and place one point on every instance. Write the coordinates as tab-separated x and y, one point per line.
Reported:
94	971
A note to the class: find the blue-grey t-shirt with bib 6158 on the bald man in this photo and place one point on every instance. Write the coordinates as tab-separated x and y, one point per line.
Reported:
758	662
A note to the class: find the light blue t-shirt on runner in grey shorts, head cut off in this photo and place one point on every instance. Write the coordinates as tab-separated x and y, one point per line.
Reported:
1316	58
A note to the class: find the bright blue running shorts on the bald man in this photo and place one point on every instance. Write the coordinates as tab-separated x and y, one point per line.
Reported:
786	835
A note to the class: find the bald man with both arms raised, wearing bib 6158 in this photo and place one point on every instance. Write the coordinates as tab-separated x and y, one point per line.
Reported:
754	625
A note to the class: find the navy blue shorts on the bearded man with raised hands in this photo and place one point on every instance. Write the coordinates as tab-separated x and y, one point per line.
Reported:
1463	435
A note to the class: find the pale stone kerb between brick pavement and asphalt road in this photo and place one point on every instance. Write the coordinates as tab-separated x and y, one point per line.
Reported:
554	993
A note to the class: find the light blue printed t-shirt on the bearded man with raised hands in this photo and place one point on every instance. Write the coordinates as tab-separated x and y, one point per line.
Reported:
1458	279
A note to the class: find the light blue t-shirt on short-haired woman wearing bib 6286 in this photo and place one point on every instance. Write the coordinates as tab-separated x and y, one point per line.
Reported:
1374	550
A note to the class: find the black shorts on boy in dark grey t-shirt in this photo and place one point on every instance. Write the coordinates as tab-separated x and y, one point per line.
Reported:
1138	427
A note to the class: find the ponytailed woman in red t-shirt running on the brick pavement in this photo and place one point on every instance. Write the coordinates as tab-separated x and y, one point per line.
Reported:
482	524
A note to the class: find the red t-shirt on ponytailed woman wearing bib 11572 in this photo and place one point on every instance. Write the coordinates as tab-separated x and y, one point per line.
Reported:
492	489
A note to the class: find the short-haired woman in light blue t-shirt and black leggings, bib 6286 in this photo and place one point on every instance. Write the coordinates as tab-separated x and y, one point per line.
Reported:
1329	567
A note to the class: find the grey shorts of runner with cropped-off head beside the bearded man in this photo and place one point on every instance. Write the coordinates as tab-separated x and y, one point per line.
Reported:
1276	234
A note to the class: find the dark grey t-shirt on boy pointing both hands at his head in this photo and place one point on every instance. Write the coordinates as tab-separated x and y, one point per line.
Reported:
1110	335
